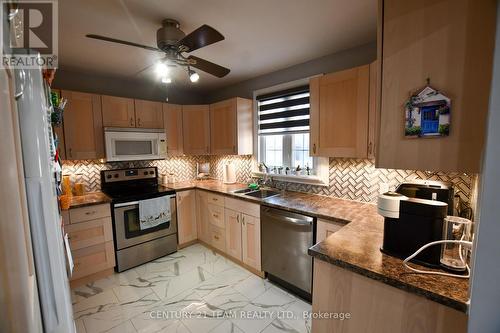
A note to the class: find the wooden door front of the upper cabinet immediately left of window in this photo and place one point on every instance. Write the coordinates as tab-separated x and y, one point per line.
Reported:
223	128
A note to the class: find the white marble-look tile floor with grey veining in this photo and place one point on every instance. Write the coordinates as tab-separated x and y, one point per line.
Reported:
193	290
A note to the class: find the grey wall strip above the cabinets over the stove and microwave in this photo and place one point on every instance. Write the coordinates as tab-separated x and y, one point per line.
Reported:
92	83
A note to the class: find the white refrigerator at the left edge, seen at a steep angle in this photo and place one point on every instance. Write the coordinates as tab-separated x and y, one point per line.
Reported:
28	153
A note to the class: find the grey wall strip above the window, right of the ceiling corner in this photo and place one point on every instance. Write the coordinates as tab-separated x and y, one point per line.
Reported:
337	61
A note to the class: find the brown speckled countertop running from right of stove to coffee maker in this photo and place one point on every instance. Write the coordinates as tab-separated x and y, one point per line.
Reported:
356	246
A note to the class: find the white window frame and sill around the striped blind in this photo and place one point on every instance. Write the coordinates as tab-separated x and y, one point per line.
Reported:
321	164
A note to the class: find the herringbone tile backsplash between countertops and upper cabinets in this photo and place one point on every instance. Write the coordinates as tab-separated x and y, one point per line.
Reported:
355	179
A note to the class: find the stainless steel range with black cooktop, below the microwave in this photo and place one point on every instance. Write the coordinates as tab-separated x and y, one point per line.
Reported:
129	190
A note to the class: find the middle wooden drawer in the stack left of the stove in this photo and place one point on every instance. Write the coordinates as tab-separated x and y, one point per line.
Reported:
89	233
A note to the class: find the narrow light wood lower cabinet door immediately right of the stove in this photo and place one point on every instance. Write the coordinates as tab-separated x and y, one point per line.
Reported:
186	216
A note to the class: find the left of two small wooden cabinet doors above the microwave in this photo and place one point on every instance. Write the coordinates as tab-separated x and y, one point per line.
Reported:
118	111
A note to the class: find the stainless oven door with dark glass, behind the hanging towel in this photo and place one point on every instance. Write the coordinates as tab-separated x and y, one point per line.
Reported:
127	226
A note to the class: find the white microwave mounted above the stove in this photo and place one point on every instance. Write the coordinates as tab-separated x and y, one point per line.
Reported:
132	144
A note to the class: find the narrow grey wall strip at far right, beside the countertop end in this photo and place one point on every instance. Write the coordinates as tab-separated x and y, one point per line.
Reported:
485	291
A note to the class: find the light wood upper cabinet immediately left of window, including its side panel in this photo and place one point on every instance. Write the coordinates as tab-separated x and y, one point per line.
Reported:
231	127
